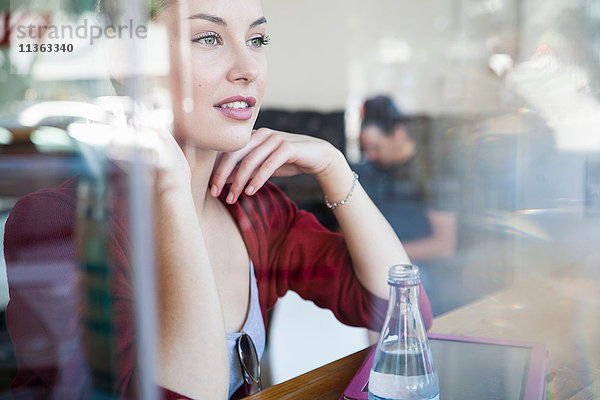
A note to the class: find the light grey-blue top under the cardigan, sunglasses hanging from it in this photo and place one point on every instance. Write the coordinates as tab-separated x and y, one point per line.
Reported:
253	326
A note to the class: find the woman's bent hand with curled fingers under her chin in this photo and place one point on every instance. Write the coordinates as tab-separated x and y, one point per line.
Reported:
271	153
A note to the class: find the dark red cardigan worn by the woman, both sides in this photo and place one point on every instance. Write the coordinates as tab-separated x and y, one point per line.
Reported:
288	246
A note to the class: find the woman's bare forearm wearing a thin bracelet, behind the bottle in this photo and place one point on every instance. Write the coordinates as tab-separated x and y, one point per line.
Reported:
372	242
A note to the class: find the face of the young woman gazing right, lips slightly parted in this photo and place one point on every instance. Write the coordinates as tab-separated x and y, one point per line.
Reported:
224	73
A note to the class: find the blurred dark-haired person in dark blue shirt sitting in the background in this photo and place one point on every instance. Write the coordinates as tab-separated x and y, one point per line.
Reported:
396	180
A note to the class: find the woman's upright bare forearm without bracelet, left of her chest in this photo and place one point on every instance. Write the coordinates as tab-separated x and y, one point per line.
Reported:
193	348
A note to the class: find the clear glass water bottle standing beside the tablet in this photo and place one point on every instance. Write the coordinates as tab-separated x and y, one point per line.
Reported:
403	366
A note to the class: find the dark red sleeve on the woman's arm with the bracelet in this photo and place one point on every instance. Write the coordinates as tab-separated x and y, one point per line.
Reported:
315	263
